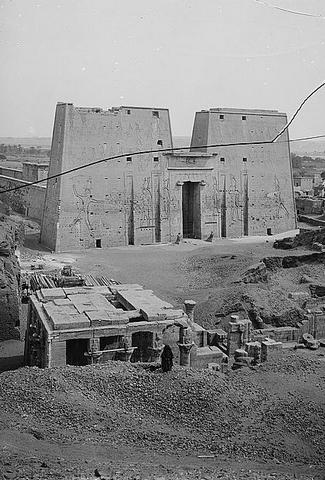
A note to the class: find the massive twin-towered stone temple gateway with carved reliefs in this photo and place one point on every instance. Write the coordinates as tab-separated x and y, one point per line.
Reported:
143	199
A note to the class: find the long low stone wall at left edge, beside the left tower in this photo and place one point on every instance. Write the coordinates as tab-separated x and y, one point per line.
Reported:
27	201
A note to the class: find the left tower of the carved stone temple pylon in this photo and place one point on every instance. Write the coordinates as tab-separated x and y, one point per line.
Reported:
114	203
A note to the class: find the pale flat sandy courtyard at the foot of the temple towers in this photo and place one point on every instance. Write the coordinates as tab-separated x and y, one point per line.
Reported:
161	268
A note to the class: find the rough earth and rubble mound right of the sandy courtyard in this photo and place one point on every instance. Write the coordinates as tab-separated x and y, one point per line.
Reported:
237	285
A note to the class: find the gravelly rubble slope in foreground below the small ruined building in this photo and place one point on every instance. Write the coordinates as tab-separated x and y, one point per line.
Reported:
274	413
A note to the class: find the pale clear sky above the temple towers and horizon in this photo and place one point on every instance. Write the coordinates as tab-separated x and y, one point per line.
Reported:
185	55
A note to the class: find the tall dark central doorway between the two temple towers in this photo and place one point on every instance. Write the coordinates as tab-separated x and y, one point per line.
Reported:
191	210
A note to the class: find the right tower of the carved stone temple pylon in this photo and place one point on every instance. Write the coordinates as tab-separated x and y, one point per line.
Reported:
254	182
